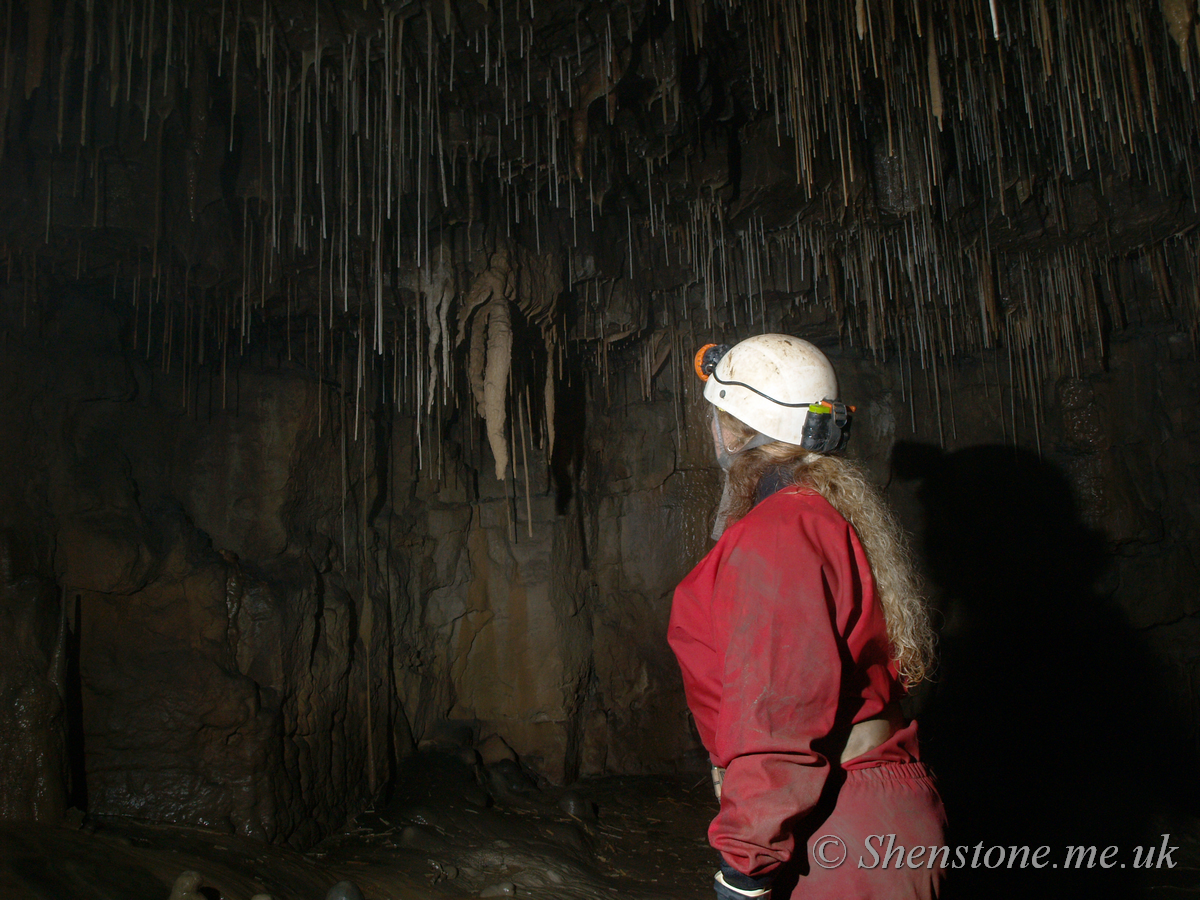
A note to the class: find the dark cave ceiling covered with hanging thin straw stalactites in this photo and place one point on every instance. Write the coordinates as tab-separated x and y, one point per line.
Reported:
445	179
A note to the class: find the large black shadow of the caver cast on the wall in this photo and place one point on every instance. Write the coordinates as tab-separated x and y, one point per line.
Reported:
1047	723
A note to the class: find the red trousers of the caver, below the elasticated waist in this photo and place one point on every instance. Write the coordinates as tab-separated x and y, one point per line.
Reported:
872	807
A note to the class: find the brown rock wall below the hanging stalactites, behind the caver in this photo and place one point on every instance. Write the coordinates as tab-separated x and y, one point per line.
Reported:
239	605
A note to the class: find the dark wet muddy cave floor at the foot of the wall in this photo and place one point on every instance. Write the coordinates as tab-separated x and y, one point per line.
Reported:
449	831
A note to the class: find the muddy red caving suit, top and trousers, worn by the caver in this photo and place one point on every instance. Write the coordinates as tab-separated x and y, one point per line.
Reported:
783	645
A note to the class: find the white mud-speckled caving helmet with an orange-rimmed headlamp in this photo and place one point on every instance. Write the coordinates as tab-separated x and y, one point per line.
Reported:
781	386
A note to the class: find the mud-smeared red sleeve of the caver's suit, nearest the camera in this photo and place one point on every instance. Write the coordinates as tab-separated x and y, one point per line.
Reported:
758	629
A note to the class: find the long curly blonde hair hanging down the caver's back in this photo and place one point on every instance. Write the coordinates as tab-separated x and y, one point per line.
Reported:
845	487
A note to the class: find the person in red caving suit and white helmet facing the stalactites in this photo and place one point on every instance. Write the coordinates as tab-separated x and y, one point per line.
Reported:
797	635
